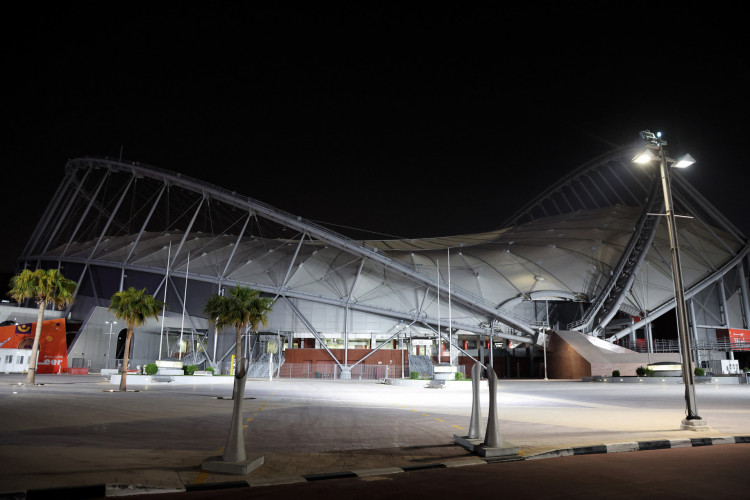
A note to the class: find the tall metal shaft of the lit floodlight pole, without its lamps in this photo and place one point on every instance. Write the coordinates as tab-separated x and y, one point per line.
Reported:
679	291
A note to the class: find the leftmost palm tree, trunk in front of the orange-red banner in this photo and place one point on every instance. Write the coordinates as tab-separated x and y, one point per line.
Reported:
45	286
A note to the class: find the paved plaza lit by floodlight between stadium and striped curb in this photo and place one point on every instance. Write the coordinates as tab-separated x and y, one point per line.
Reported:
72	430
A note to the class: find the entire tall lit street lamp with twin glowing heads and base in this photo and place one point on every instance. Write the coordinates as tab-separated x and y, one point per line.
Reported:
655	143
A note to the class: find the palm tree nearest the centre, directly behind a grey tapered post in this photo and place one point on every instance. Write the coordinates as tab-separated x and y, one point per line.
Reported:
242	308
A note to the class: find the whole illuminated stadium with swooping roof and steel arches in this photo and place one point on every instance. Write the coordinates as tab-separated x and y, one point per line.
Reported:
588	258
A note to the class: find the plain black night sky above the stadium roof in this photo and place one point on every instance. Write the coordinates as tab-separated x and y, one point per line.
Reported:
403	121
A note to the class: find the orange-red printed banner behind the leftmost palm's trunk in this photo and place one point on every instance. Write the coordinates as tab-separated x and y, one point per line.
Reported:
53	347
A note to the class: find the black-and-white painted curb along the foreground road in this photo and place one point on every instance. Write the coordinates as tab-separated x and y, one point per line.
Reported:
114	490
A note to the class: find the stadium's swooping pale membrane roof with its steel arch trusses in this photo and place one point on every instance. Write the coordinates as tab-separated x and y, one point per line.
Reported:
110	220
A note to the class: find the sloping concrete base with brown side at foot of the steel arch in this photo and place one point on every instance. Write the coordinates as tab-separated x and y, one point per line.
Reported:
576	355
